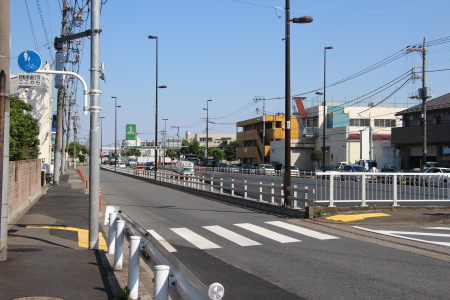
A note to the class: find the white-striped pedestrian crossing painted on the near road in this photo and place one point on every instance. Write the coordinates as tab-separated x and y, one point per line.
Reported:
260	233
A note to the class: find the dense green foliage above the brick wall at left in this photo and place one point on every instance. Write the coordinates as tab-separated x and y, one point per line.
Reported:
24	143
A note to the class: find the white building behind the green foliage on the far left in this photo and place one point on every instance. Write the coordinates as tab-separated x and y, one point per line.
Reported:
41	100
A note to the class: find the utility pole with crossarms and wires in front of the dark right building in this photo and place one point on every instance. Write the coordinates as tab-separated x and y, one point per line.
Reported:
424	94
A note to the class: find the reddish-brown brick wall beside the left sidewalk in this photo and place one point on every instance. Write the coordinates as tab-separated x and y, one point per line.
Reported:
24	182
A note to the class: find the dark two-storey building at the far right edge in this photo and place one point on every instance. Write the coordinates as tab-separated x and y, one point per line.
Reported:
408	138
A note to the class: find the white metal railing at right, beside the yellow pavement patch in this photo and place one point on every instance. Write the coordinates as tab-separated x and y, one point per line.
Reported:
382	188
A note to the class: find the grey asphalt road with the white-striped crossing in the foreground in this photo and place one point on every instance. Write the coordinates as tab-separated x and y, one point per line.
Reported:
257	255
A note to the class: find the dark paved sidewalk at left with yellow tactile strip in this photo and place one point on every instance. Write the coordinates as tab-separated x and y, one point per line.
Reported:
47	250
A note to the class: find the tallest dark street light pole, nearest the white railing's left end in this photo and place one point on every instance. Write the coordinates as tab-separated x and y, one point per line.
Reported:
287	144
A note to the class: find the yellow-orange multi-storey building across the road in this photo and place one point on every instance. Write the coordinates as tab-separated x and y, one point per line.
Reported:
256	136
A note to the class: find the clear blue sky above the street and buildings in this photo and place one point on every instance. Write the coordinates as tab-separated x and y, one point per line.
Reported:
231	51
